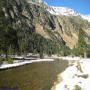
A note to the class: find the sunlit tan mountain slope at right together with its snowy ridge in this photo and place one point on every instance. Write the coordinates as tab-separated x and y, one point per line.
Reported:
70	22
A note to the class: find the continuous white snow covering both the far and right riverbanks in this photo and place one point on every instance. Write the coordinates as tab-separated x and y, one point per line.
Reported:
77	73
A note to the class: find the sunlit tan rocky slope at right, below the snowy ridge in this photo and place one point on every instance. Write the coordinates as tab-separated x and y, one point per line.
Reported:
69	27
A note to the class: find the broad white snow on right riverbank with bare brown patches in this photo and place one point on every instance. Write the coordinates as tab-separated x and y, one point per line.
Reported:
76	74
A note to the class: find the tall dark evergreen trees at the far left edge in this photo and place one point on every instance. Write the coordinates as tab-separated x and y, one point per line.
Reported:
8	36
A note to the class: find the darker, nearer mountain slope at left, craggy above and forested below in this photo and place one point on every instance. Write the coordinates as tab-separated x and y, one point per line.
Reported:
34	27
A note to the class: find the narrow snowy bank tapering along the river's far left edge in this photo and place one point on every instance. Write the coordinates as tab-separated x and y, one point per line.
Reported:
22	62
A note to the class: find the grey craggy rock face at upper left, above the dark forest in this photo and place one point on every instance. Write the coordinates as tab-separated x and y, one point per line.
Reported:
27	15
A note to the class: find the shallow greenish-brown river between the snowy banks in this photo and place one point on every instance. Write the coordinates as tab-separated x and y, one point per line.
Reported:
35	76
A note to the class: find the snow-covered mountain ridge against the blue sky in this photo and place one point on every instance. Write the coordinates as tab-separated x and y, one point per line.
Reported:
67	12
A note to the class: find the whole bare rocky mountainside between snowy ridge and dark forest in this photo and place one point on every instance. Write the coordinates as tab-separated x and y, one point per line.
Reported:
28	16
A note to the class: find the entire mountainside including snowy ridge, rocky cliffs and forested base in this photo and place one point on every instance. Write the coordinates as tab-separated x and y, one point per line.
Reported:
35	27
